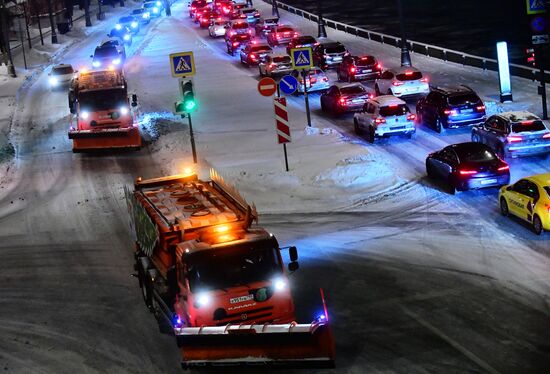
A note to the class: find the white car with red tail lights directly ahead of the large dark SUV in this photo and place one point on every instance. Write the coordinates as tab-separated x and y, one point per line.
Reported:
403	81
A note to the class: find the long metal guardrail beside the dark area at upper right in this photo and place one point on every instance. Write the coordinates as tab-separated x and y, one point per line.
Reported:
444	54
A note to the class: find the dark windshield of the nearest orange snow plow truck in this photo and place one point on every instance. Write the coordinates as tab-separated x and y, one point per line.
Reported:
235	265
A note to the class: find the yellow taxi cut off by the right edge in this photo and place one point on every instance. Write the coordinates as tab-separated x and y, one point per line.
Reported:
528	199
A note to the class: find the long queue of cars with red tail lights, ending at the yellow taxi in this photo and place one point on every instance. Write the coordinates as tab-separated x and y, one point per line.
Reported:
382	112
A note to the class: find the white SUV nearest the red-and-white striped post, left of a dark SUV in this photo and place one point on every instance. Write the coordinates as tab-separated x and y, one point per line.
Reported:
384	116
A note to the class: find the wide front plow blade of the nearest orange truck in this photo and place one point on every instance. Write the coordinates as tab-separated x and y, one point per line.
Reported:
287	345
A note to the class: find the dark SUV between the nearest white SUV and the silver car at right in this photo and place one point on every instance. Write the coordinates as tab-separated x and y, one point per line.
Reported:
450	107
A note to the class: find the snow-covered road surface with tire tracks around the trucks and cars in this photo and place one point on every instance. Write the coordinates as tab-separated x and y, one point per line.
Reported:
417	281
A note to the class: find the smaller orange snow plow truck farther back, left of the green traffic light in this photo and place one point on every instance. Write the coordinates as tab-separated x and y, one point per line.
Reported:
102	117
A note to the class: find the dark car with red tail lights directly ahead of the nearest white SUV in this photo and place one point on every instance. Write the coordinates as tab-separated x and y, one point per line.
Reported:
344	98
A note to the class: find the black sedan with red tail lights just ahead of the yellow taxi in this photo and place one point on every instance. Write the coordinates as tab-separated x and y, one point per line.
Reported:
466	166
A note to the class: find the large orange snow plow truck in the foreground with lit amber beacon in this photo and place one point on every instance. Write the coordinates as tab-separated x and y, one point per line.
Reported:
215	280
